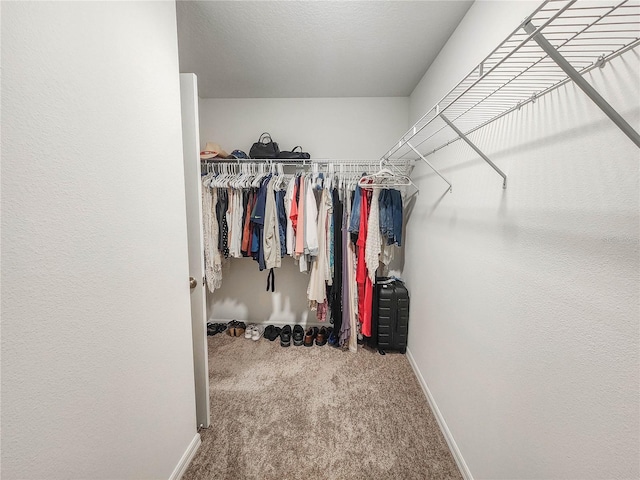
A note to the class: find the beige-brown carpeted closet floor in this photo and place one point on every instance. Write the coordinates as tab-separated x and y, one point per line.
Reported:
316	413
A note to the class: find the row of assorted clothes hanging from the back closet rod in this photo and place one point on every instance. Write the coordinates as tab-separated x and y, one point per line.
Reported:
338	236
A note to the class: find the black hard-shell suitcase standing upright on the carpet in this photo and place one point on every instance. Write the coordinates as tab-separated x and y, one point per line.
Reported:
390	325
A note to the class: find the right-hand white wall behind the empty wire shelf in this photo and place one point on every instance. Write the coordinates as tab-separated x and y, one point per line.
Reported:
524	322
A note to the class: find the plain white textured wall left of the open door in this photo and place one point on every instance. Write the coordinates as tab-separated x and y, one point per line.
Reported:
97	370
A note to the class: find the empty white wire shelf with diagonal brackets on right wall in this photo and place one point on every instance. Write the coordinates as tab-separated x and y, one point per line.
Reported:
559	42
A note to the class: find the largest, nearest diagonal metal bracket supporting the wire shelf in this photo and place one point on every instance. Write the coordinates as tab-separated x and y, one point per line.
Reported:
585	86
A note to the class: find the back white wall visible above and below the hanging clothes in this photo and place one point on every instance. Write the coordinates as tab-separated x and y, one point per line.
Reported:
344	128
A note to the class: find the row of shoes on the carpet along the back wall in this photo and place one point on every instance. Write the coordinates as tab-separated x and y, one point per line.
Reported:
320	336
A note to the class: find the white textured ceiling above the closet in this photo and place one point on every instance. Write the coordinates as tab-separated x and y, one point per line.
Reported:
270	49
